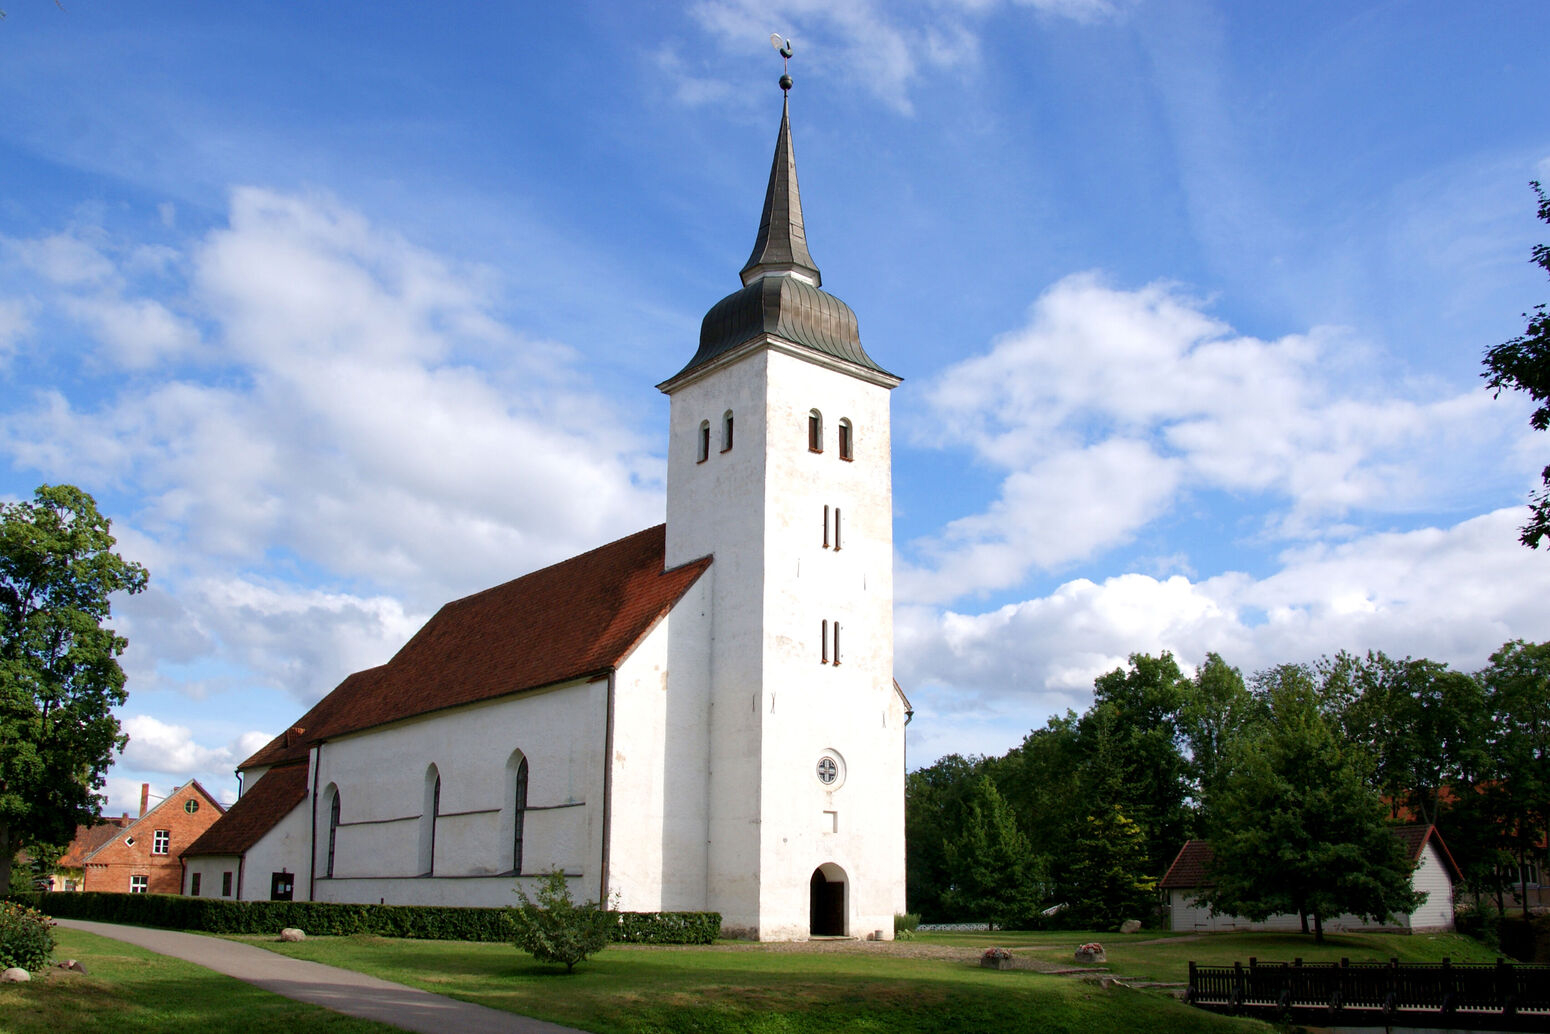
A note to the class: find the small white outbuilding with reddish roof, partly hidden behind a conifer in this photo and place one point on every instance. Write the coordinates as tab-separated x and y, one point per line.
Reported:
1435	875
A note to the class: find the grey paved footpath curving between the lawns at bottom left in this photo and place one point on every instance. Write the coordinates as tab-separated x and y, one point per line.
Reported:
332	988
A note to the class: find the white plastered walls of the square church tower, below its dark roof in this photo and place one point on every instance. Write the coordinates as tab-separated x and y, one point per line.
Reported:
776	708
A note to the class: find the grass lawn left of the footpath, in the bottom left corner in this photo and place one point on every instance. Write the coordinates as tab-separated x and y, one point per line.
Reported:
133	991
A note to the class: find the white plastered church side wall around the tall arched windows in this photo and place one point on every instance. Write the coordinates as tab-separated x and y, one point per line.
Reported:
382	779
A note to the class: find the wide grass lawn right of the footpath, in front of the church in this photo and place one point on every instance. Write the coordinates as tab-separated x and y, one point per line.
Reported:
762	991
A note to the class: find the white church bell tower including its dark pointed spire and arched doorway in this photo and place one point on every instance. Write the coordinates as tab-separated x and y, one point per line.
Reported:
780	469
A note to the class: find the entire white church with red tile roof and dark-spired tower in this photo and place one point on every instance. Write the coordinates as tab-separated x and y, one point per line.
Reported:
700	717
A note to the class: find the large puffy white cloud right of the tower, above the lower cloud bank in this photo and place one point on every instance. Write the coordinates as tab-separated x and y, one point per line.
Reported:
1111	405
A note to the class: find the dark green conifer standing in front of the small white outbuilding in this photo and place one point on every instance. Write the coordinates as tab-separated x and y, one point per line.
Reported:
1295	825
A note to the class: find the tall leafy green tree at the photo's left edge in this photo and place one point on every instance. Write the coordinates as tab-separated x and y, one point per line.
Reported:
60	674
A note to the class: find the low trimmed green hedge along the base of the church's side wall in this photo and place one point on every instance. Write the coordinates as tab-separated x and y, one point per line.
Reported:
430	923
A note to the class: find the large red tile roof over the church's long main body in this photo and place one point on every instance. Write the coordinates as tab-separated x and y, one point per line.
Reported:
576	619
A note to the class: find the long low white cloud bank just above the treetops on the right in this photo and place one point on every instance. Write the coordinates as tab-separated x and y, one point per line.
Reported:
1450	595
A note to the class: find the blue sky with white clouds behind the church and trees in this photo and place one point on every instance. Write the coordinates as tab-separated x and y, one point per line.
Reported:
346	311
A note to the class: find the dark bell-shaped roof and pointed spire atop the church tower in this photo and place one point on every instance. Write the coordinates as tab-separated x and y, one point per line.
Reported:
780	284
